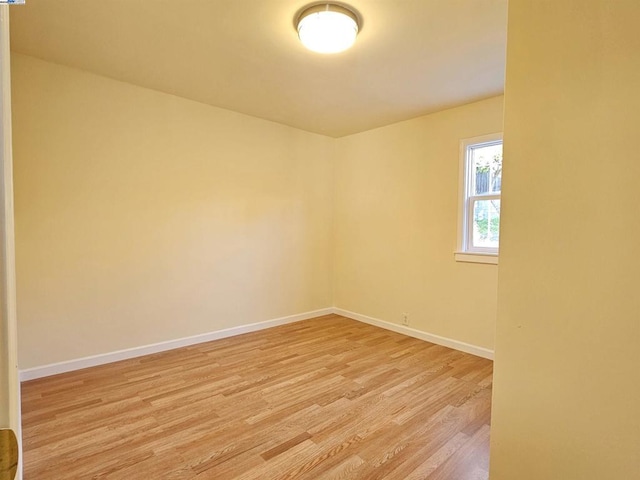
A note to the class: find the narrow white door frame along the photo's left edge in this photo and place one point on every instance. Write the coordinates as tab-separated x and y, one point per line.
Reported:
11	417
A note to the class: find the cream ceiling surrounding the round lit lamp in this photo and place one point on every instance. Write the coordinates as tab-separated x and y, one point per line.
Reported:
412	57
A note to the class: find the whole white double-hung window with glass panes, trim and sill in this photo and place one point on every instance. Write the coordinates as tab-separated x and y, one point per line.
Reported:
480	186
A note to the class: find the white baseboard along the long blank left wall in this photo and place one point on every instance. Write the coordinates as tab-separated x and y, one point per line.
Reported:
101	359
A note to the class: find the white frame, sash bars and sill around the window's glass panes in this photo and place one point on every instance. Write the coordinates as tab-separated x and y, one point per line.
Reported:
465	252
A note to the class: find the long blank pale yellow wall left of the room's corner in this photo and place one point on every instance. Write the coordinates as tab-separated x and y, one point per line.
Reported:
143	217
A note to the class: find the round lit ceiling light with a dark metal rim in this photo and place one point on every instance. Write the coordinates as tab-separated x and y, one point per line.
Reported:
327	27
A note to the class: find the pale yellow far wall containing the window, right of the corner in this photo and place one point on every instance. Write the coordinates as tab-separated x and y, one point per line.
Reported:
396	206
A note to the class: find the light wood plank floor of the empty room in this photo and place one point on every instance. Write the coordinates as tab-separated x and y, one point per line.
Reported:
320	399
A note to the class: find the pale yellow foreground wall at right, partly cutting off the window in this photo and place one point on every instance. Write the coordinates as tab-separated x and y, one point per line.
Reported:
567	379
